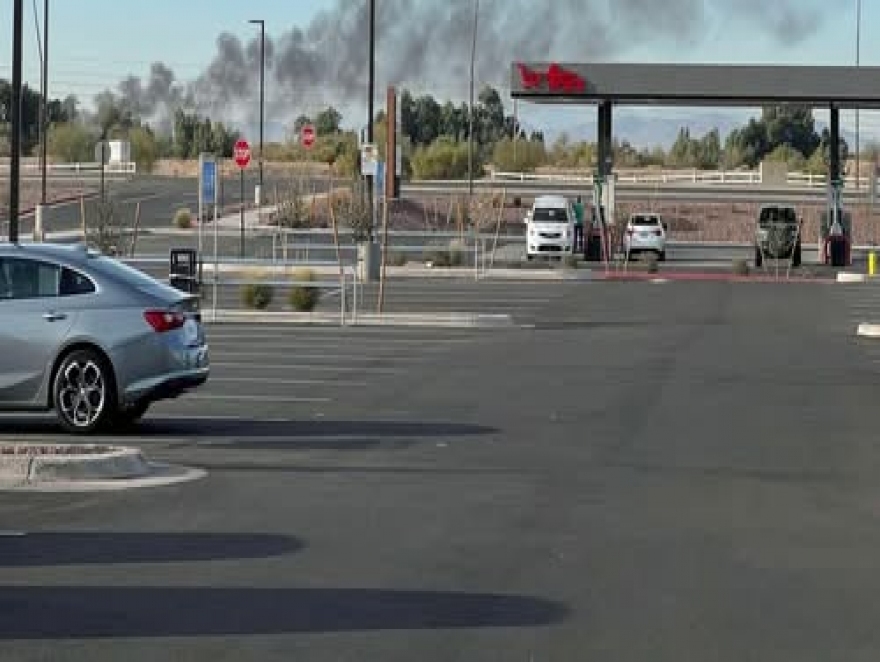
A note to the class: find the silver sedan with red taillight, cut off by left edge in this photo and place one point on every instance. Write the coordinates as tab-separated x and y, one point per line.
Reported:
92	338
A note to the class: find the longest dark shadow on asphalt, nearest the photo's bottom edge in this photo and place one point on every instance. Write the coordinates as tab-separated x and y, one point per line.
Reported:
84	612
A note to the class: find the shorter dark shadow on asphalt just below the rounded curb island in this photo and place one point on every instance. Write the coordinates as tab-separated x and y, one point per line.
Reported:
100	548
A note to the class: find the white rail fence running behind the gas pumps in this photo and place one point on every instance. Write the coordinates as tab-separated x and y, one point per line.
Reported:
690	176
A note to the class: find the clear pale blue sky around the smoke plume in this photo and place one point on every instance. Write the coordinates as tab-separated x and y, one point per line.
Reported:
95	43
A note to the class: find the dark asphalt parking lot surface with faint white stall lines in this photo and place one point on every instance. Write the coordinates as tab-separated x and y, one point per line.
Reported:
679	471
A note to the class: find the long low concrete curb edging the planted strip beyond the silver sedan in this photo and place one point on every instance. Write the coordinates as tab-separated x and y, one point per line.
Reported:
444	319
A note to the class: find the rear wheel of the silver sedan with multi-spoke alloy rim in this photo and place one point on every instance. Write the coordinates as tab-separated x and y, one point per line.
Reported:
83	392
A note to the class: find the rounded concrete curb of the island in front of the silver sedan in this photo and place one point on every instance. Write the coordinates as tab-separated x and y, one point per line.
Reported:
114	463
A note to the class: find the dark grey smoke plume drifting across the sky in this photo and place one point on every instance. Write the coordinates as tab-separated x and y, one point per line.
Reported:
425	45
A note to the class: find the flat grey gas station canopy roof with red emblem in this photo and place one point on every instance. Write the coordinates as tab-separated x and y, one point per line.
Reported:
696	84
